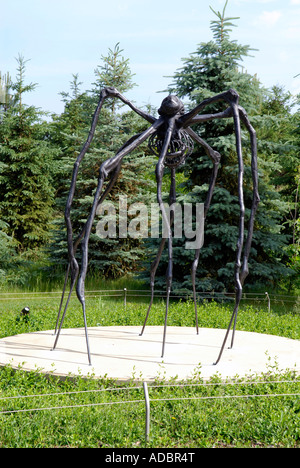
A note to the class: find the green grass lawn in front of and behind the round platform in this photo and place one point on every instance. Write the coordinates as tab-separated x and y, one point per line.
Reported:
180	416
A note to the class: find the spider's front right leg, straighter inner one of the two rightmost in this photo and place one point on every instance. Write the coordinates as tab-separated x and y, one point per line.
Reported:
238	282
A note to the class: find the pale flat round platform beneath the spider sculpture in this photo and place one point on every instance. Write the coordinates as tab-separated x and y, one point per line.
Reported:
120	353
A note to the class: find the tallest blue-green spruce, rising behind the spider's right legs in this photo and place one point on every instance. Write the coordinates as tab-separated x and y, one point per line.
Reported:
212	69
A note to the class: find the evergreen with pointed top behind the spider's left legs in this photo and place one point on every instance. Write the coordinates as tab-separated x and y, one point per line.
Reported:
109	258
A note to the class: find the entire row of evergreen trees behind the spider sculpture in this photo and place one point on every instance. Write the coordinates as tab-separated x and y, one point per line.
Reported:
37	157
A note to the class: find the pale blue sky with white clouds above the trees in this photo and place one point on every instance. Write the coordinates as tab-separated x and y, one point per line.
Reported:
62	37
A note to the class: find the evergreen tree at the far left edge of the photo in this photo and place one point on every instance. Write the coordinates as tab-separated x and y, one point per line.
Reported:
26	193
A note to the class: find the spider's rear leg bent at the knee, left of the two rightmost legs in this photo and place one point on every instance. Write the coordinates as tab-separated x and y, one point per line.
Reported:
215	157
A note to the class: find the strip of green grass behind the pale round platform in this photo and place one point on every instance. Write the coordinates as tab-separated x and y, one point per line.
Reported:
106	311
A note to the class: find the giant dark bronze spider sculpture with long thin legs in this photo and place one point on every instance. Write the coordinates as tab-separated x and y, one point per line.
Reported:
171	139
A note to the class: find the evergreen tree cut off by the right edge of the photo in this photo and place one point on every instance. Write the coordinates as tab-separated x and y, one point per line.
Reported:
281	130
